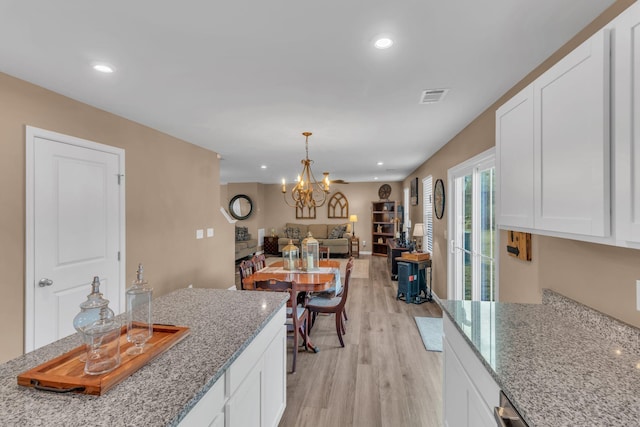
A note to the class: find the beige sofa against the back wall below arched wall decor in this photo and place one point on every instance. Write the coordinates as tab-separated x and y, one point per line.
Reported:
337	237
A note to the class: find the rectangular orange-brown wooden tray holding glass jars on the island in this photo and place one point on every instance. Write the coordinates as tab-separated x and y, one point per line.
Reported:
65	373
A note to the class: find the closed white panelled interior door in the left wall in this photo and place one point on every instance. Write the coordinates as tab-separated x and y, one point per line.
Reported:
75	230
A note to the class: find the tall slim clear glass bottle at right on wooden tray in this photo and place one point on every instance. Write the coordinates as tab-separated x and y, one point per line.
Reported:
139	323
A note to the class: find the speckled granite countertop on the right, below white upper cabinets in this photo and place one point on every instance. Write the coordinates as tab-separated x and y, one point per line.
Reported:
560	363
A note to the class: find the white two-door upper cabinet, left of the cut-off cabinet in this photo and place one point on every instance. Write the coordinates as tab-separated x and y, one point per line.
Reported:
553	147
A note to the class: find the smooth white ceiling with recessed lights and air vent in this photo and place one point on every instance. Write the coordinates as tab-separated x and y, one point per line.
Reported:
245	78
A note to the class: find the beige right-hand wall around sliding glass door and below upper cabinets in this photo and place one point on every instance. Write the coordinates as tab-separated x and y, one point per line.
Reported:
600	276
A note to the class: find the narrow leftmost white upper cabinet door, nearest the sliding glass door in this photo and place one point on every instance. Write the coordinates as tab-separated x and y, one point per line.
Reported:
514	161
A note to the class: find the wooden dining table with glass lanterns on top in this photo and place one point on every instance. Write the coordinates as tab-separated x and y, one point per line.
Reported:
326	277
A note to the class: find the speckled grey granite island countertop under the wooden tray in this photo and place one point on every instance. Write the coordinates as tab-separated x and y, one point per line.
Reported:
222	324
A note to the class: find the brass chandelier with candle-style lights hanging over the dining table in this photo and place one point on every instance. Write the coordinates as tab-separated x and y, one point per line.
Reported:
307	193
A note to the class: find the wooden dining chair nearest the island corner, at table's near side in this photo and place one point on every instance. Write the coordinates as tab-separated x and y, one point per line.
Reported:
297	315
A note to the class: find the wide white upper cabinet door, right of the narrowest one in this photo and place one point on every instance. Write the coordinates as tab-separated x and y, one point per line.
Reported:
571	141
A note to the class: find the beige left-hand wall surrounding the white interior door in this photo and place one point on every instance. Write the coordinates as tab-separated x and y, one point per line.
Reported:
172	189
